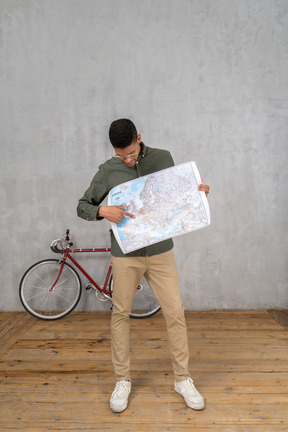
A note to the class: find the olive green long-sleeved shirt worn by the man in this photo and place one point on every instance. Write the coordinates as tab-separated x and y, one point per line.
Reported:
114	172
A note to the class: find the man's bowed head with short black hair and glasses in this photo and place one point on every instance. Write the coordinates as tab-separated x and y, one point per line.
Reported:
125	141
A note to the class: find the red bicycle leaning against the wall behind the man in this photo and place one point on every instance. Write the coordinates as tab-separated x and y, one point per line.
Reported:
50	289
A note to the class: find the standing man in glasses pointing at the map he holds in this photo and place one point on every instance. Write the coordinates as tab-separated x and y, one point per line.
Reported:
133	159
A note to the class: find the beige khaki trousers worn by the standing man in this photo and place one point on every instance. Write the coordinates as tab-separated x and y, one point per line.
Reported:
162	276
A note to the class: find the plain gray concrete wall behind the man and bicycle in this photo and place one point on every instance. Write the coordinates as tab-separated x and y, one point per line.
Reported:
206	79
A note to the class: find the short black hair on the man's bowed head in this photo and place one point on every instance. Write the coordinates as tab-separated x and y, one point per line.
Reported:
122	133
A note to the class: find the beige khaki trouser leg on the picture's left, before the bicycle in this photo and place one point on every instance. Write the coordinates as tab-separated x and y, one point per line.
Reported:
127	273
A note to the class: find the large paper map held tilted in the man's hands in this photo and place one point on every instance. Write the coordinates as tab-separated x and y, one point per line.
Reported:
166	204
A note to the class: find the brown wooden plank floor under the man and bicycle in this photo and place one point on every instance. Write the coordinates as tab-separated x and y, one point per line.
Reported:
58	375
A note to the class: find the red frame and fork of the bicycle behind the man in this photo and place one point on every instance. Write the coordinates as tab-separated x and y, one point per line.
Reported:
67	254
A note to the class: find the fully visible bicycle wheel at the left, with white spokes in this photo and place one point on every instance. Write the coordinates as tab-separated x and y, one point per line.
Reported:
39	300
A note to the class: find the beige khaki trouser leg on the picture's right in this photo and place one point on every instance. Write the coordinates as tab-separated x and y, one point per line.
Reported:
162	276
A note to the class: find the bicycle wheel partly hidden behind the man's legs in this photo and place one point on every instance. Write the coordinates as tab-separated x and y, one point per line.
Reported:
145	303
